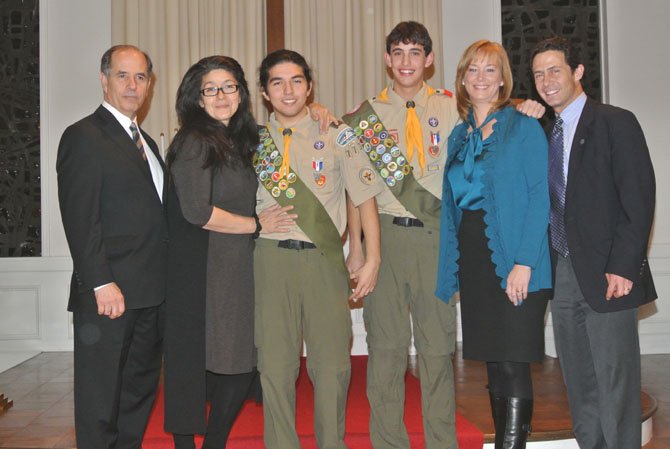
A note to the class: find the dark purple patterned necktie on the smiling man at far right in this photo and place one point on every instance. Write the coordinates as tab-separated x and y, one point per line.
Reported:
557	189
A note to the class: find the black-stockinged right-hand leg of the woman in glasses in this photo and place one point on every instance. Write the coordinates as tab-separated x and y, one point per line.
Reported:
226	394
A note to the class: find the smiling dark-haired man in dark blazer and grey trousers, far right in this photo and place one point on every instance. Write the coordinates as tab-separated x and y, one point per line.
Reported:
602	207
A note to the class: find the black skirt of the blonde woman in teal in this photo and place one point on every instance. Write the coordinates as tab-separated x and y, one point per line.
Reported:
494	329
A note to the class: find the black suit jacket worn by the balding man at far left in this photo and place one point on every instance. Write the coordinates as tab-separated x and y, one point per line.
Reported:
113	218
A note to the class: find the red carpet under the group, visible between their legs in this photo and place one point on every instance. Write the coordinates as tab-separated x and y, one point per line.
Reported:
248	430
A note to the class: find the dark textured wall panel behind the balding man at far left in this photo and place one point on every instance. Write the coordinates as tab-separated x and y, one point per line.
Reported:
20	211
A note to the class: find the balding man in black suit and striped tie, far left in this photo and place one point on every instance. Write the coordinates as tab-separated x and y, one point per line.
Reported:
110	189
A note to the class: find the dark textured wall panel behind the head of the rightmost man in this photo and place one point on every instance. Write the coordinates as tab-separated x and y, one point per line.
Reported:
527	22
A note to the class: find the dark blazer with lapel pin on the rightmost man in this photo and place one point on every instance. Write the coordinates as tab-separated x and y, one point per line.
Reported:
609	206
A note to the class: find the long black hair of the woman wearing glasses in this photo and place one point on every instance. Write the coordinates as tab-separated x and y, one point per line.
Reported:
231	145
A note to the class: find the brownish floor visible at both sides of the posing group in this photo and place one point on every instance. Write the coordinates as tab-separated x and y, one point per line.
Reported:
41	389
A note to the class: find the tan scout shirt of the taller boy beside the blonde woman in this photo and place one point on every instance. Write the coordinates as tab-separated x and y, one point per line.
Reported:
437	115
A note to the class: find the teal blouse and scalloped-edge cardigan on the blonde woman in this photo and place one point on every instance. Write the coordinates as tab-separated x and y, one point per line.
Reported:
506	176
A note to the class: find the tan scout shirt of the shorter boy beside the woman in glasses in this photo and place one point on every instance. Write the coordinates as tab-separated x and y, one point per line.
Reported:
327	165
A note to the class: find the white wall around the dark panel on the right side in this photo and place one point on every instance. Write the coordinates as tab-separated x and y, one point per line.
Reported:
638	61
